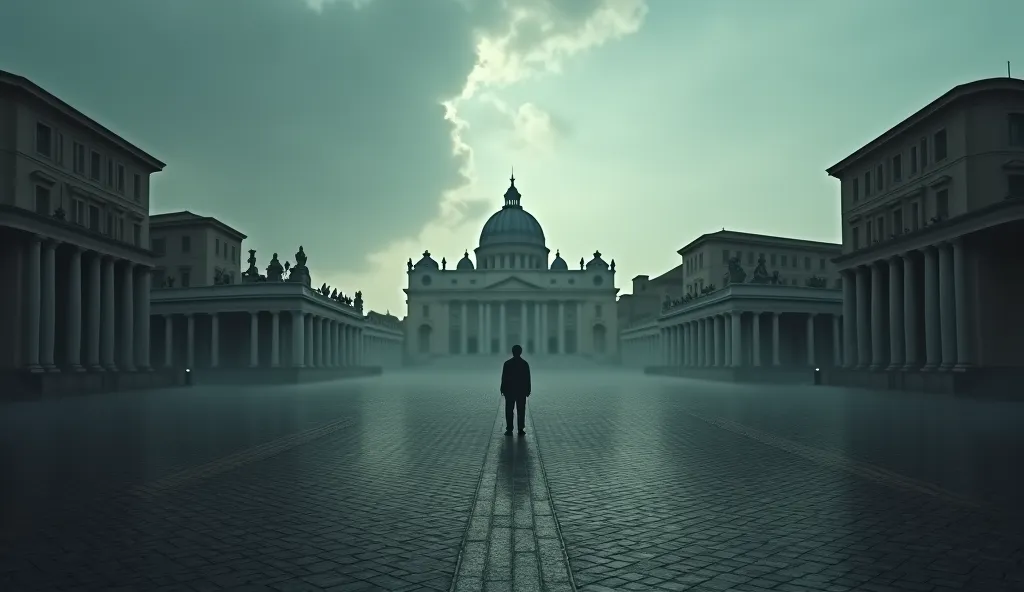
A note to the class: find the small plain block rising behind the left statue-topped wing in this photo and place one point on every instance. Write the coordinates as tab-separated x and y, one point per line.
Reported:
194	250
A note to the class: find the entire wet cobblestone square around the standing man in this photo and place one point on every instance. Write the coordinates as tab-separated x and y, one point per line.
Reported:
406	483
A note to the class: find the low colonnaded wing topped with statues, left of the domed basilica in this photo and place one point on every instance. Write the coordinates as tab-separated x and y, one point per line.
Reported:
268	328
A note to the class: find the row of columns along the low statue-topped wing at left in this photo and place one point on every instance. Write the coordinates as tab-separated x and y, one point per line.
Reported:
317	342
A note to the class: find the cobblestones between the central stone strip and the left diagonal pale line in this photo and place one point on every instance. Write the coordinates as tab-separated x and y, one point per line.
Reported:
381	506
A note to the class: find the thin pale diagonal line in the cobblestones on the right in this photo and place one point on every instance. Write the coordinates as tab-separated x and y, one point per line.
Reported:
839	460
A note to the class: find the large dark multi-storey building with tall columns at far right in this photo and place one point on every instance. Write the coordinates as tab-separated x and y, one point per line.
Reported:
932	217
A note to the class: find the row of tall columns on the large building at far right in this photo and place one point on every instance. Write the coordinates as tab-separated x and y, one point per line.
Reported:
910	312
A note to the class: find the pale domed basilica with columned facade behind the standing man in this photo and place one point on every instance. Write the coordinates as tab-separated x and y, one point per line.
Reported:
511	295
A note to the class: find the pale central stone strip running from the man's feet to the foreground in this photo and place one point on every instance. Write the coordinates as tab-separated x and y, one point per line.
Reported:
514	543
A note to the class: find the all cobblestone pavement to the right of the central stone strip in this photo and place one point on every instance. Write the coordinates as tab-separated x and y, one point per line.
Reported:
676	485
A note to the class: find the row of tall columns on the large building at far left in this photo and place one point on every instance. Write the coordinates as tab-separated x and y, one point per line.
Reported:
106	304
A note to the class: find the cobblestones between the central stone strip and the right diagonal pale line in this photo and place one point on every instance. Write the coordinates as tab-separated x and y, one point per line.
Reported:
652	498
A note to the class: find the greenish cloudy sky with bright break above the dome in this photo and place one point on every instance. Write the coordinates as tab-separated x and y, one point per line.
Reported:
371	131
